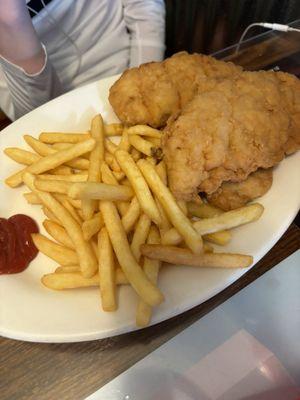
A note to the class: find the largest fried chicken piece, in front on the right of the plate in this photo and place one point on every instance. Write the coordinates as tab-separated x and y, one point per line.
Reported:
229	130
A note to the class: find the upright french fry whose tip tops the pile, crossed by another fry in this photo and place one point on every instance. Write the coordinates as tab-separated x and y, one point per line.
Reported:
96	159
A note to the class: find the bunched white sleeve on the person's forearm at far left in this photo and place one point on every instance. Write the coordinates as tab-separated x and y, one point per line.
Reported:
30	91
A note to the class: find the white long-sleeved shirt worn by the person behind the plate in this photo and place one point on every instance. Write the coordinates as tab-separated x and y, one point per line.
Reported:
84	40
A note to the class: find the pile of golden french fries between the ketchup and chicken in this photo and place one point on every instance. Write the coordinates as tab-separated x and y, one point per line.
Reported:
111	216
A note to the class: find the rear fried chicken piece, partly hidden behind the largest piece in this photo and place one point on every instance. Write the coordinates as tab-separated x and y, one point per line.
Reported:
153	92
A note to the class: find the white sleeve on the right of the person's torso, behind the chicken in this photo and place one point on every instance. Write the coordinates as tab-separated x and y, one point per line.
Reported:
145	21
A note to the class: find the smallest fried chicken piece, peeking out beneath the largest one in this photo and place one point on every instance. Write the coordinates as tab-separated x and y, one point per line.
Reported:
232	195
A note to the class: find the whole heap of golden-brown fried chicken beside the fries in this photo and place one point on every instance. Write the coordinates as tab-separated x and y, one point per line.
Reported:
220	123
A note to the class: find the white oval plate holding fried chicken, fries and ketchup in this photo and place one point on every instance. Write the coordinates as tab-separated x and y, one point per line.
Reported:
29	311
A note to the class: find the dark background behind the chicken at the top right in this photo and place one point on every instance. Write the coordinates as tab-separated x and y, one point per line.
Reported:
206	26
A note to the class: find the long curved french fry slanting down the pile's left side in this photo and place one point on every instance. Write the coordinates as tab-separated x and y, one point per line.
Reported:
86	256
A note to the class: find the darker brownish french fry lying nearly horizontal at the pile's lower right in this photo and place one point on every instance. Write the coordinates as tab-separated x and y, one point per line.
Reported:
177	255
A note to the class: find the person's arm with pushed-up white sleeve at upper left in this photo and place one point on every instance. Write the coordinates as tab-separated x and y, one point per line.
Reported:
30	77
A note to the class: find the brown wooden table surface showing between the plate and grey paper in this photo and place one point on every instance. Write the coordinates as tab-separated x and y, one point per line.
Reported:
73	371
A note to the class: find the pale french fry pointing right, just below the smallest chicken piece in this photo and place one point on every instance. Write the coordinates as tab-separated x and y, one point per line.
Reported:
226	220
